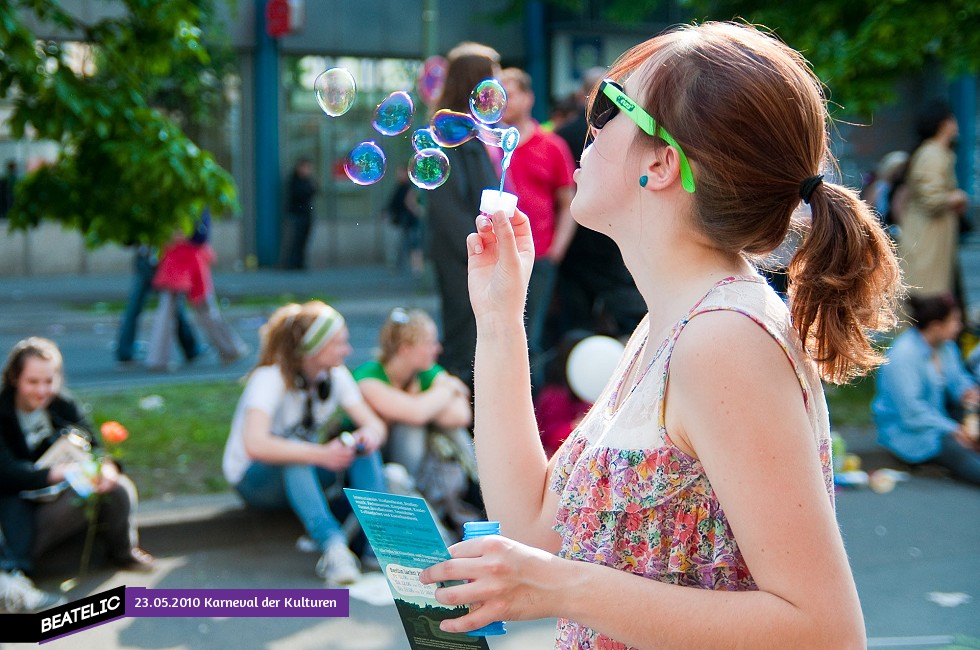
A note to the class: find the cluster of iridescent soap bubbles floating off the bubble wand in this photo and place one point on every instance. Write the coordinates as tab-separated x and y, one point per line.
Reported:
335	91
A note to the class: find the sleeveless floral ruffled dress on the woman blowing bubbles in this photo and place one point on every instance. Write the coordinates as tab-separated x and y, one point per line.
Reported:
630	499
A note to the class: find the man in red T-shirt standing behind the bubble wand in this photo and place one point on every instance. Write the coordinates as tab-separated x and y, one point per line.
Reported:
541	175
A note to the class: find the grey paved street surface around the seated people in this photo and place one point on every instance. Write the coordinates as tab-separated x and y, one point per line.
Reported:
915	551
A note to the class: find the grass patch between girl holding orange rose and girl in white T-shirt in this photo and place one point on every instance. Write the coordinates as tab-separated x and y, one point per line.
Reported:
175	447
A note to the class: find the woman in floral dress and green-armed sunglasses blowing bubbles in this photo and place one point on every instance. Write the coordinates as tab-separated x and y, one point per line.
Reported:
664	498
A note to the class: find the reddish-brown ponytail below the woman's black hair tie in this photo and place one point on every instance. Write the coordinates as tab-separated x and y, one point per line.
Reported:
844	284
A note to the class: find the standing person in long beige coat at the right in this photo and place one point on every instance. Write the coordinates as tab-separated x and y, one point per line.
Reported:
929	238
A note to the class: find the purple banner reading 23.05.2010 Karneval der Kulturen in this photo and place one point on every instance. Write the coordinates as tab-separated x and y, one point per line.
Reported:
237	603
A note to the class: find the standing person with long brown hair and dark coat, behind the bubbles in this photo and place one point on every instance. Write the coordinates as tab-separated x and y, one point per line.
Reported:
449	204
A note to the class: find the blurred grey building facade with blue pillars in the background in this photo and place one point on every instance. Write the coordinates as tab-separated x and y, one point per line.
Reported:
272	118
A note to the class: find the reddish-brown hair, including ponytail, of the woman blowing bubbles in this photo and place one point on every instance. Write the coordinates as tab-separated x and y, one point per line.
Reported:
751	117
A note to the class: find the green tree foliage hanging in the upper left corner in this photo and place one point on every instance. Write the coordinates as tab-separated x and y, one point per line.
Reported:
126	170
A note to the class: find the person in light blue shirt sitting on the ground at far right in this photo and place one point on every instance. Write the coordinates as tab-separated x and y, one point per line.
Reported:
924	374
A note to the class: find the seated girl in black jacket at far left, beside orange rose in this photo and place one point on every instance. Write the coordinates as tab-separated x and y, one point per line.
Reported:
34	413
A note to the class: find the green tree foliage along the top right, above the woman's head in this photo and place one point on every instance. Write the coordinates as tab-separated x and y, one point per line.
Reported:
859	48
